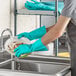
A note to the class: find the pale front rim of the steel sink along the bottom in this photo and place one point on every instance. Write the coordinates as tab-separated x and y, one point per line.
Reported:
4	72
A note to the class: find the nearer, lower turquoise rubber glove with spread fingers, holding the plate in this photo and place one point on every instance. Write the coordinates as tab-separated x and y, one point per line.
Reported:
25	49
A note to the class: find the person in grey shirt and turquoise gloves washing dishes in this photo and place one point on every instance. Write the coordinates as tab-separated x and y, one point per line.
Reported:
67	19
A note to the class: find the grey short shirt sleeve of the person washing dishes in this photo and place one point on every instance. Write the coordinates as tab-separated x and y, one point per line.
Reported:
69	9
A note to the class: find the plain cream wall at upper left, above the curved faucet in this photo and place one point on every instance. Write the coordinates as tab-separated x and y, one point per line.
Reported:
4	14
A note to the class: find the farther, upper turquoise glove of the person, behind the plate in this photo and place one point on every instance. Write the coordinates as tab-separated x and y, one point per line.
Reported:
38	33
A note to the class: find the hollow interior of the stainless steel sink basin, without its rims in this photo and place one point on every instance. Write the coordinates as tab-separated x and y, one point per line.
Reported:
42	68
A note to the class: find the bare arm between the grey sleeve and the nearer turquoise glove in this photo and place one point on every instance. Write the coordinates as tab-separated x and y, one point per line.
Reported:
56	31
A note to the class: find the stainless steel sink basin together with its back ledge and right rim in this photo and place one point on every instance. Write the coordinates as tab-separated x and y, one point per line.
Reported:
44	65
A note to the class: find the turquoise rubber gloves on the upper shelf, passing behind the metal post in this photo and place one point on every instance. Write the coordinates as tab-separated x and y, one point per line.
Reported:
48	6
